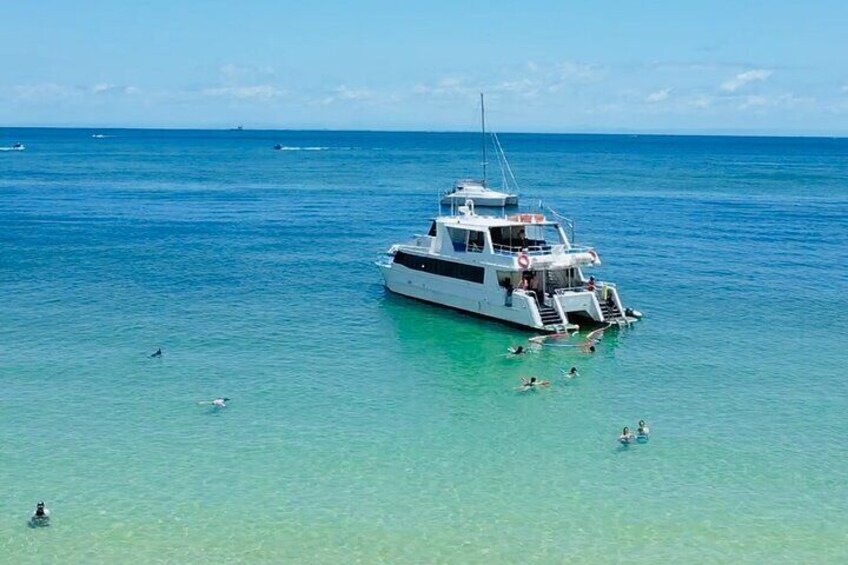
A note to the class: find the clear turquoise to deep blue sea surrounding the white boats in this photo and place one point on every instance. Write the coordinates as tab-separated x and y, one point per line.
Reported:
365	427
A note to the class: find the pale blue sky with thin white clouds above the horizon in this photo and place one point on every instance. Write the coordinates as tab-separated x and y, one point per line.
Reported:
737	67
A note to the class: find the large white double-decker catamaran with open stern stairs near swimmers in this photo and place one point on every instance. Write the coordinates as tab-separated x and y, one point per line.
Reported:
520	268
